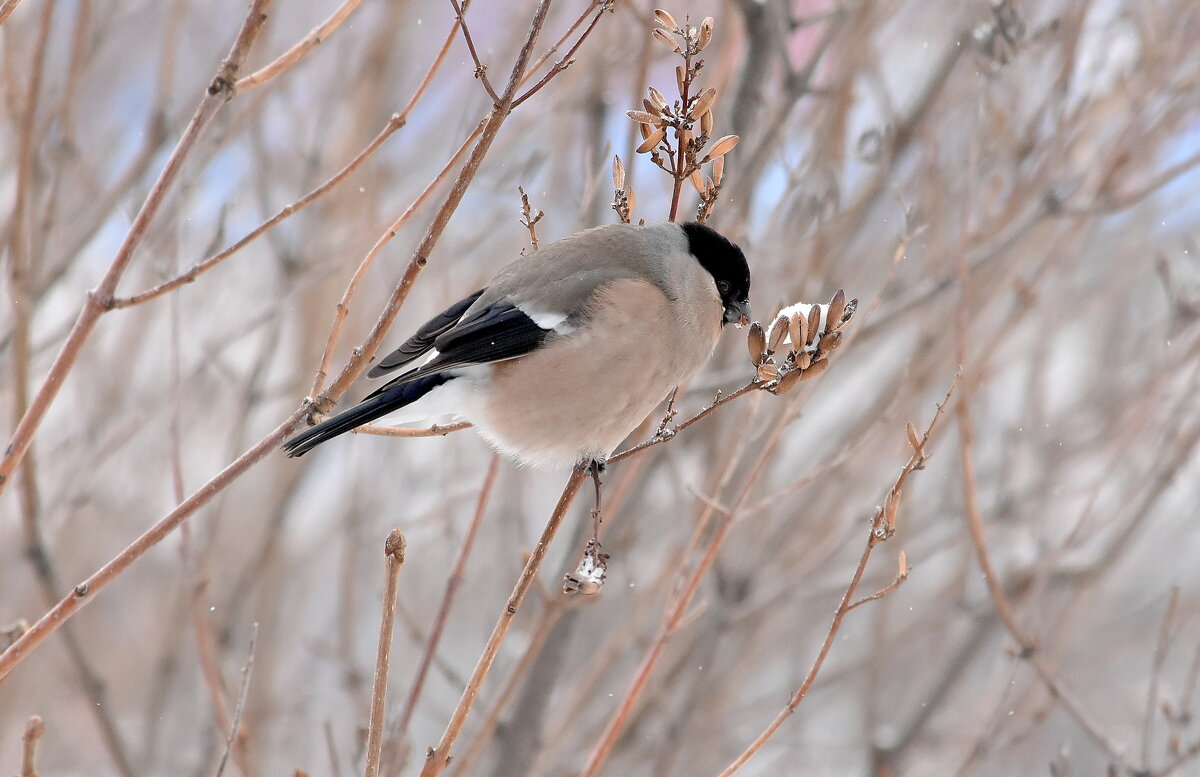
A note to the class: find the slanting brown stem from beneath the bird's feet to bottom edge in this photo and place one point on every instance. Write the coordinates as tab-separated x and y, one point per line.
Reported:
439	757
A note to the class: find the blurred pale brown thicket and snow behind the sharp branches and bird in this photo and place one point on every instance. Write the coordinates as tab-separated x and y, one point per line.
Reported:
1011	189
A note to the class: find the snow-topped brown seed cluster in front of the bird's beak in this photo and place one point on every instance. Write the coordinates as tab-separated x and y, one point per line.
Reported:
808	333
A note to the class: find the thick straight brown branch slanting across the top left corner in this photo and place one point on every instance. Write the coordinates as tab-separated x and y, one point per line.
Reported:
218	95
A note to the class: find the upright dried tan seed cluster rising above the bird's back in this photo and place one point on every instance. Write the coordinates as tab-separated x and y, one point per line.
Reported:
677	132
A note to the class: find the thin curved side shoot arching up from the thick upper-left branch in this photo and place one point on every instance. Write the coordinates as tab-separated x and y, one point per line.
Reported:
395	124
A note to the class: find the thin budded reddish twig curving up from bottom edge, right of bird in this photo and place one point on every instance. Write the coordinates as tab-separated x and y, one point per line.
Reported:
880	531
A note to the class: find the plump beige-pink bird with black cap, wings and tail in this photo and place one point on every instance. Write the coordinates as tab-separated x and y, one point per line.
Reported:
567	350
